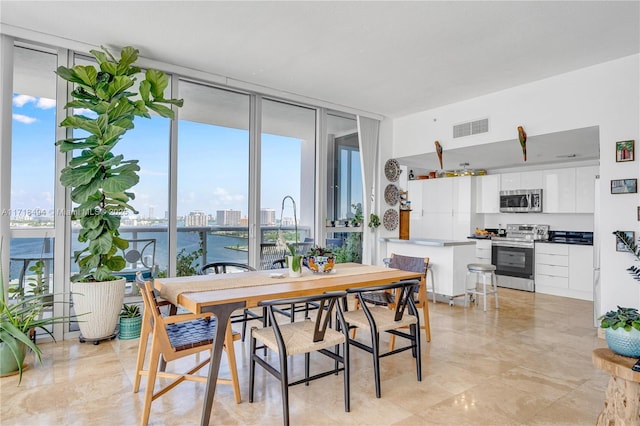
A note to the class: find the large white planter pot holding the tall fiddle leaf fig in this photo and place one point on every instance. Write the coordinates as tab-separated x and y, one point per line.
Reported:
98	306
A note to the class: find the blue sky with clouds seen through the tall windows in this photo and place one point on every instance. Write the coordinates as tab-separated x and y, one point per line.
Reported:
212	163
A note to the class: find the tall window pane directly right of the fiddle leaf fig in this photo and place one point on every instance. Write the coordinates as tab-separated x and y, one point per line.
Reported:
213	177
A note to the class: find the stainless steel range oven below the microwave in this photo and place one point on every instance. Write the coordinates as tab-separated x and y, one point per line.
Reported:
513	255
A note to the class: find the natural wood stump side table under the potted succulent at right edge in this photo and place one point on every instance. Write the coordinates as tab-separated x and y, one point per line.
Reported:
622	397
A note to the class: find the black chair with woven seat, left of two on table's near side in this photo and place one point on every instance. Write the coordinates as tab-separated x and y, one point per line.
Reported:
301	337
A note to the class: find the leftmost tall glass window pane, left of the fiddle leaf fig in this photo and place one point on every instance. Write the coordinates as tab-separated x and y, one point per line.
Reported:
32	208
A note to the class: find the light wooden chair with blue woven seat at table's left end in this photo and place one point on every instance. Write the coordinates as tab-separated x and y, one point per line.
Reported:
174	337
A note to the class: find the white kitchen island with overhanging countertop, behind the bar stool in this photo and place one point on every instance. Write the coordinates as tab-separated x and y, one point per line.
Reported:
448	260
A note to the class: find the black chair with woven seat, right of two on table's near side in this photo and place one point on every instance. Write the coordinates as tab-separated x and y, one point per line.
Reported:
378	319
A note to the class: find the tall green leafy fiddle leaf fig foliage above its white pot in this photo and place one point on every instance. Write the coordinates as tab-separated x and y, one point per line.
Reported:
100	180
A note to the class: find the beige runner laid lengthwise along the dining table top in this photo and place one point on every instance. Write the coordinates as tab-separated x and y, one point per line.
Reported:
171	291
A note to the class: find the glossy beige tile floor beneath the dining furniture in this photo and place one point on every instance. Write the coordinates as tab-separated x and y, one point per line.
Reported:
528	363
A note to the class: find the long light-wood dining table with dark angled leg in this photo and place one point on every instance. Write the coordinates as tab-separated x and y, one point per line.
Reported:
224	293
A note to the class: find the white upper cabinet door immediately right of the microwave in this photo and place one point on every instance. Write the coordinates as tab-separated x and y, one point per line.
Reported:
558	191
